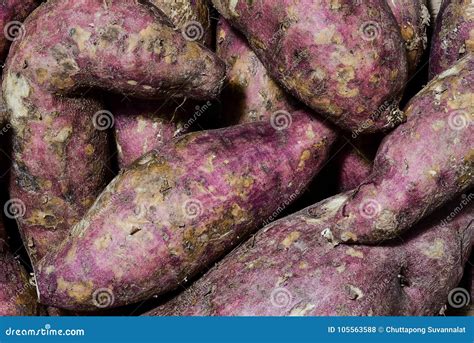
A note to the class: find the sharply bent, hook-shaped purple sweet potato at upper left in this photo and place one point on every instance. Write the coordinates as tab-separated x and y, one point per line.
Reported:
59	146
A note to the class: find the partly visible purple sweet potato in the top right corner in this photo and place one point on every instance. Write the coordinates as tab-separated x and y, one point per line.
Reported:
453	36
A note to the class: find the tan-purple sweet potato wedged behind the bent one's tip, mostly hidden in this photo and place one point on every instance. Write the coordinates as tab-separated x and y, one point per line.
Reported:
250	94
